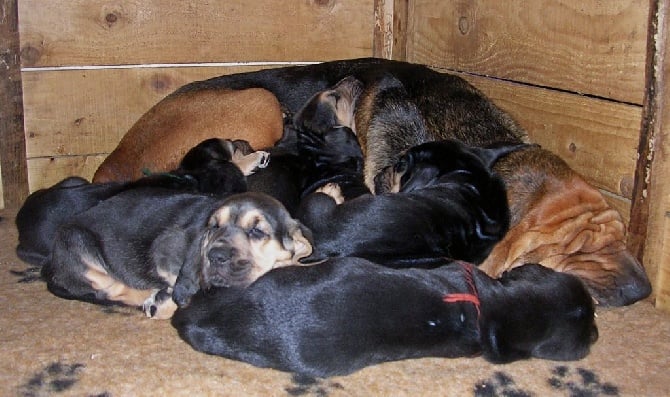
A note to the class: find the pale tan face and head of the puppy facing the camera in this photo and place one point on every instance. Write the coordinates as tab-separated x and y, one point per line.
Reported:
250	234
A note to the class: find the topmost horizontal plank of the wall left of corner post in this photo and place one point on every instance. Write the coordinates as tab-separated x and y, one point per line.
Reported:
100	32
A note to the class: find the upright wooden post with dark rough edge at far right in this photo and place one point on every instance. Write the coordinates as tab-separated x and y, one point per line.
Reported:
653	204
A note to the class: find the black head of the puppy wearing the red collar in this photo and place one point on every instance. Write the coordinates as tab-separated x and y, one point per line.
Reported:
536	312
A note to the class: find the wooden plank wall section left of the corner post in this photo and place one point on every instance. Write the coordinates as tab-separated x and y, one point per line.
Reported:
90	68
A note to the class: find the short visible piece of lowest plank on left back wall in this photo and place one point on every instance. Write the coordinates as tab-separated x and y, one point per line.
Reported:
47	171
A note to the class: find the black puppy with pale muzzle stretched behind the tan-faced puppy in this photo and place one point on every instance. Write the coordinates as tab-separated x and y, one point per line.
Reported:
214	166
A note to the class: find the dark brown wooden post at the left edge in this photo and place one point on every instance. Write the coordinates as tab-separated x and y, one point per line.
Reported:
13	167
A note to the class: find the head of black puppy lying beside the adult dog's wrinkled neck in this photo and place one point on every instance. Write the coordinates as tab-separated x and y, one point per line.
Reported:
426	164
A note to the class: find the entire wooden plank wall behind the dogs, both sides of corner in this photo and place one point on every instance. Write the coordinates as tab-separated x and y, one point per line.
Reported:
576	74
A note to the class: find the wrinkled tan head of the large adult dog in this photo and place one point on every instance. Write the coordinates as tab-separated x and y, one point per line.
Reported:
562	222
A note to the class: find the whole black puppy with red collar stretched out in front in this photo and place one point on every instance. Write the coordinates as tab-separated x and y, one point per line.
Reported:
345	314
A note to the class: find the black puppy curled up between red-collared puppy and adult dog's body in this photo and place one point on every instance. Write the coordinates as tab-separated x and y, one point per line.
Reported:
450	205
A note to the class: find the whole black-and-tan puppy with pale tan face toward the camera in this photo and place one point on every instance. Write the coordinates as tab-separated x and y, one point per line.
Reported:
167	241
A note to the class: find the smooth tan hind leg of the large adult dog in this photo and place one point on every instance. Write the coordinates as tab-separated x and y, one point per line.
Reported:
162	136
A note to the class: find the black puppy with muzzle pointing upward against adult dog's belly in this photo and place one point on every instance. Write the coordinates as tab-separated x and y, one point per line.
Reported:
318	147
